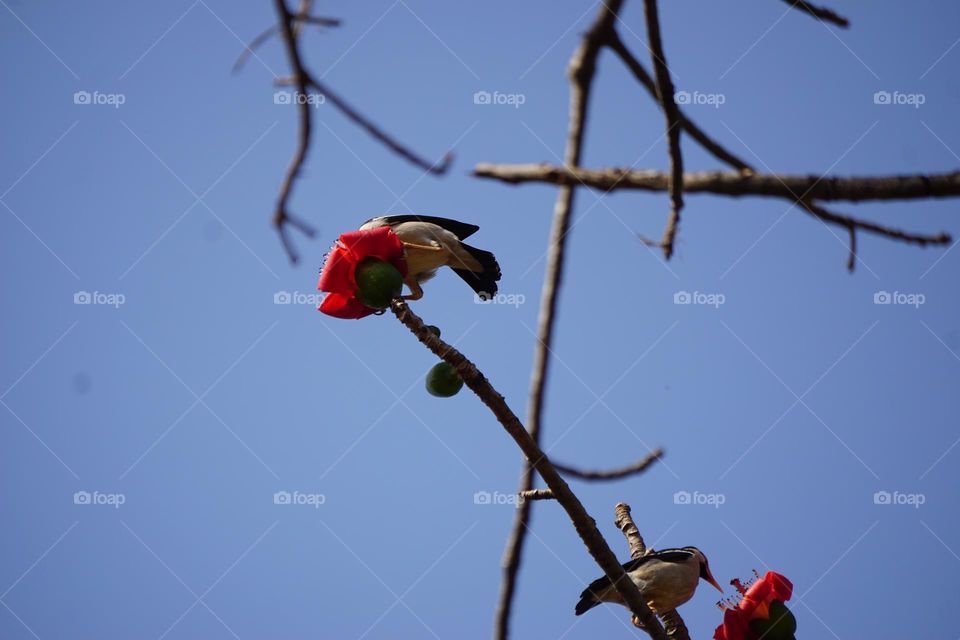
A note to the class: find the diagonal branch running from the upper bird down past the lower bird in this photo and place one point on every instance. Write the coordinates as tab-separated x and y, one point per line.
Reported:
585	526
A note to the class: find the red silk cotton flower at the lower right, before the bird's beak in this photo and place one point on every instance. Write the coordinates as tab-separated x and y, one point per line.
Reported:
760	607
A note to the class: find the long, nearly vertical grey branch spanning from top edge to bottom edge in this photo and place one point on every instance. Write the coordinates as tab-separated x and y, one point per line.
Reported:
580	72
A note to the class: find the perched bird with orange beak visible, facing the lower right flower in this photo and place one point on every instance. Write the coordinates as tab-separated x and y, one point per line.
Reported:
666	579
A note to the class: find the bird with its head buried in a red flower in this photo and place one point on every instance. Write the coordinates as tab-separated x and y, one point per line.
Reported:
430	243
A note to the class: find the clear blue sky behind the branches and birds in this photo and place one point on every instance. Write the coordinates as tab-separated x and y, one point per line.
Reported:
182	398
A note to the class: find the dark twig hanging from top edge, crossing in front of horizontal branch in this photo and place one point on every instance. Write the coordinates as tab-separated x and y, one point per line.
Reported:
665	96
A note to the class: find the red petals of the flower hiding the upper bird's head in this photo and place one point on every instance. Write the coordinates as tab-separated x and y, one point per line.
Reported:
338	276
